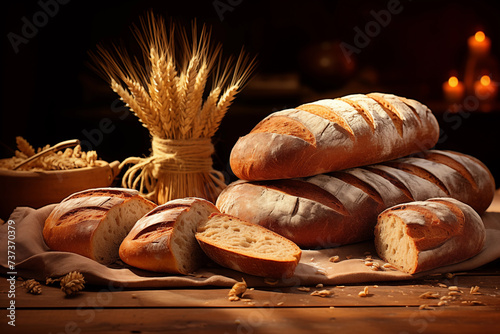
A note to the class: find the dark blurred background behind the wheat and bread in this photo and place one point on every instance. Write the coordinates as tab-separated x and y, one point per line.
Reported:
50	94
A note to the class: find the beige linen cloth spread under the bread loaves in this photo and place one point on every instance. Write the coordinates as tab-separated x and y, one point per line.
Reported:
33	259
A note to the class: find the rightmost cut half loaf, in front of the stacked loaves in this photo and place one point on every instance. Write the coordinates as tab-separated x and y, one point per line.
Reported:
424	235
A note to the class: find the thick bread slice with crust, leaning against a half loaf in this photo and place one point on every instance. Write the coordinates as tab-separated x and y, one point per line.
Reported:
246	247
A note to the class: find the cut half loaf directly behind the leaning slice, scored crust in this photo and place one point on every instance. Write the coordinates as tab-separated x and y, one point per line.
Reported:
163	240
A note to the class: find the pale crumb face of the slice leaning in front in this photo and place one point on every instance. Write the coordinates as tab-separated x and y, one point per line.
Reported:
246	238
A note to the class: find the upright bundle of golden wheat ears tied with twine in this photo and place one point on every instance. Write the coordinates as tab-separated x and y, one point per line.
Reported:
180	93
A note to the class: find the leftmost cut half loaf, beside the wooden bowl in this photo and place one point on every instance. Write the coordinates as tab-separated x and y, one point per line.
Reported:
94	222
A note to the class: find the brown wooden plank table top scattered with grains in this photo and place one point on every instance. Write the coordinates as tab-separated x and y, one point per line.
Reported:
395	307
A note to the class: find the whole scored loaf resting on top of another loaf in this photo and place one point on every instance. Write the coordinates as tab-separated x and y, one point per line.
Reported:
334	134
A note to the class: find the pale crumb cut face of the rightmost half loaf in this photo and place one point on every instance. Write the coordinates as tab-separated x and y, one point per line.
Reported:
394	245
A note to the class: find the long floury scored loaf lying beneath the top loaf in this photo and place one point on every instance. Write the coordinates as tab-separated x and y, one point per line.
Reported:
342	207
